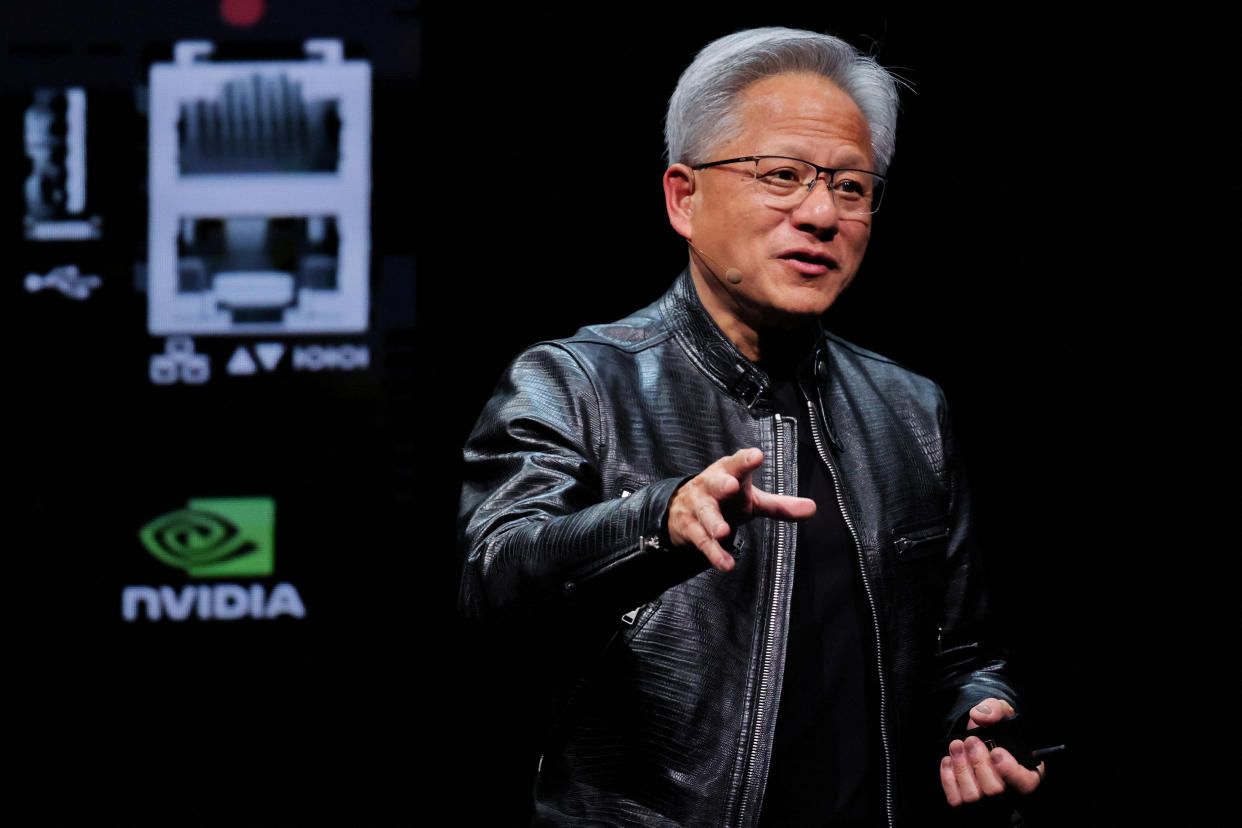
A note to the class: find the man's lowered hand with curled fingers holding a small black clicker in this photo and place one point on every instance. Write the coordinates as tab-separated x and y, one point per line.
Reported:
972	773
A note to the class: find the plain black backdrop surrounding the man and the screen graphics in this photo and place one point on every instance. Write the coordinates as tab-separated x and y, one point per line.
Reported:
1079	310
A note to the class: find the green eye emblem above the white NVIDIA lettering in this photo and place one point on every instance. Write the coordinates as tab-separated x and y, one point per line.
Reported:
215	537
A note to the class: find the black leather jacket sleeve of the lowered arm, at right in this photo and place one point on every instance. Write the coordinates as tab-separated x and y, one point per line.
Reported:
974	666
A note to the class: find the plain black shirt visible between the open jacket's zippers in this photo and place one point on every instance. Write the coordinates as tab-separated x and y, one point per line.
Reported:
827	764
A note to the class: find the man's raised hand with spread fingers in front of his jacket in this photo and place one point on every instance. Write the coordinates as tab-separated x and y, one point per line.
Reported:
697	512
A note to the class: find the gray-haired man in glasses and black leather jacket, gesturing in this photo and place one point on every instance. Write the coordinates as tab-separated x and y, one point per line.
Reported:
735	654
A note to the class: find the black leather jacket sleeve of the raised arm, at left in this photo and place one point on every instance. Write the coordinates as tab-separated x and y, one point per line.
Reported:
535	529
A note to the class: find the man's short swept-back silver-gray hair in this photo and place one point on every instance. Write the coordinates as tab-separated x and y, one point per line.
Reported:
702	111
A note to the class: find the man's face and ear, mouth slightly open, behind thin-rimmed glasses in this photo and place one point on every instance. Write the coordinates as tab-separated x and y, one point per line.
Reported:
793	264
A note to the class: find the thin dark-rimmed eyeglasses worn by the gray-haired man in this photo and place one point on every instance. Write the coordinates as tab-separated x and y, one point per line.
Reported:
788	182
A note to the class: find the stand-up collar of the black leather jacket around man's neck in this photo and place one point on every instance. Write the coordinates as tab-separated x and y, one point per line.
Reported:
720	358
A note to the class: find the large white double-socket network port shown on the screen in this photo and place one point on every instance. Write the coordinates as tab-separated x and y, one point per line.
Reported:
260	194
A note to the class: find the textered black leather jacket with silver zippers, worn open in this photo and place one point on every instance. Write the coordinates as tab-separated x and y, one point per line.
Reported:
675	670
